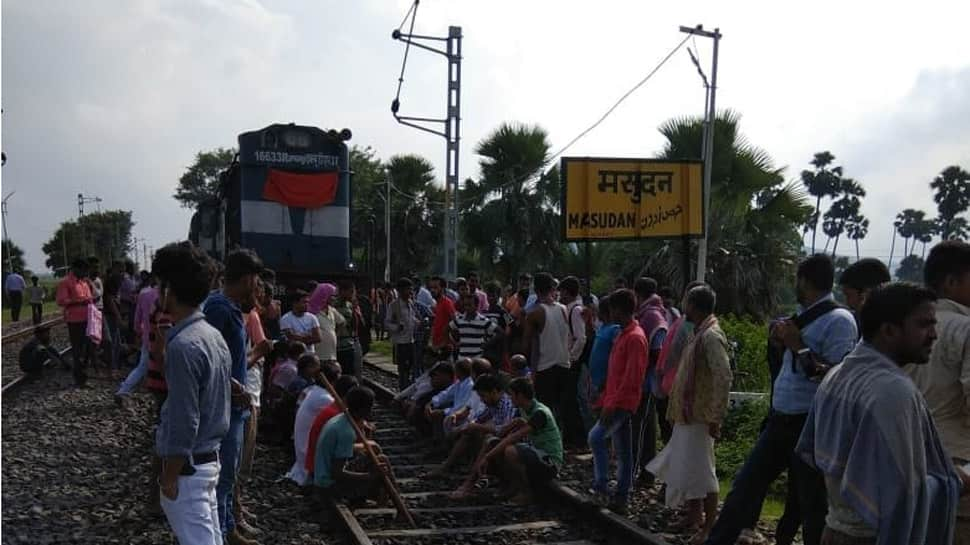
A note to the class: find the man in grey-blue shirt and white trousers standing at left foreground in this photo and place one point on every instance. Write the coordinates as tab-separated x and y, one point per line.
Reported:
195	415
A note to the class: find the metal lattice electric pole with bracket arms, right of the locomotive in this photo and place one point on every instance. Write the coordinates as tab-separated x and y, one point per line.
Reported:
451	125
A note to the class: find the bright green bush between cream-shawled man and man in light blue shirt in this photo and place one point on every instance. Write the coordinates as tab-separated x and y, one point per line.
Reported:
750	354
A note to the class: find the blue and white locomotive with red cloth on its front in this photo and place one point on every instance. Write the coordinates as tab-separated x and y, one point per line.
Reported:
286	196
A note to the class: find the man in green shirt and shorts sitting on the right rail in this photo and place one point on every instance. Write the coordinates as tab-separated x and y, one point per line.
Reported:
530	453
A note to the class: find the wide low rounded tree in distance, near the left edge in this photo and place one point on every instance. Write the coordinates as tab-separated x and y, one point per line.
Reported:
105	236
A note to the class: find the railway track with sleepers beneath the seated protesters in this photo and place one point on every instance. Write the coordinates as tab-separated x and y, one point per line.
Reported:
562	517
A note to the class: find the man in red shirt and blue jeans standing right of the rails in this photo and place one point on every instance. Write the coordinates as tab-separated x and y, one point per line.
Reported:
621	397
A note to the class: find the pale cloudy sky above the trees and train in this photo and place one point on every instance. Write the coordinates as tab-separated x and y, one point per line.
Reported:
113	98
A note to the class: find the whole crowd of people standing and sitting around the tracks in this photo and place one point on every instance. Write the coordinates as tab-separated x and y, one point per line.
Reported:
869	405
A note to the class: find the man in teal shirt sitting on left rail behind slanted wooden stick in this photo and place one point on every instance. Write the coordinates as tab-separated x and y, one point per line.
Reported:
335	449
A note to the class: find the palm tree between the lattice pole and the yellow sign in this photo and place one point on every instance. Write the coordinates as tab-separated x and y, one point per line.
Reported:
510	216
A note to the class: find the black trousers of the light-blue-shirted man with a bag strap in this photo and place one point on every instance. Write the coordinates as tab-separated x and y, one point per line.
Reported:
771	455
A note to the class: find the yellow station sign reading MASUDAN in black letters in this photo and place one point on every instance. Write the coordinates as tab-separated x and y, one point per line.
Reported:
627	199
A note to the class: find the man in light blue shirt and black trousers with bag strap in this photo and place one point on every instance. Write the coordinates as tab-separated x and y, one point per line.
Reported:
809	352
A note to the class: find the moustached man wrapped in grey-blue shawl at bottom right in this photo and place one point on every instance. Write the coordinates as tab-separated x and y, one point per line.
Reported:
887	476
